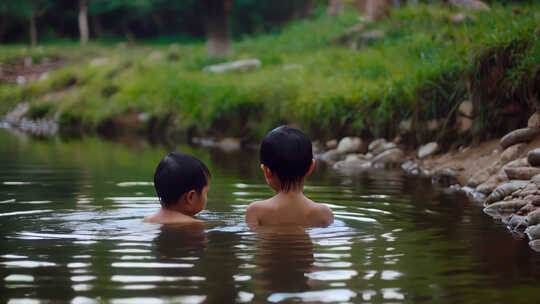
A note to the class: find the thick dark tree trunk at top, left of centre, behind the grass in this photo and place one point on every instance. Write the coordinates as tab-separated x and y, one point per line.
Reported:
218	28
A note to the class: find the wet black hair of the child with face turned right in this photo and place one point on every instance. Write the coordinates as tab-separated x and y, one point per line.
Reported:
177	174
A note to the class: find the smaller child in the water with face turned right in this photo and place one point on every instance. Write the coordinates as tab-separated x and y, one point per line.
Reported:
181	183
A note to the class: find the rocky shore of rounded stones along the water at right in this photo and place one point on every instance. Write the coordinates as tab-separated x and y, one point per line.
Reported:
504	175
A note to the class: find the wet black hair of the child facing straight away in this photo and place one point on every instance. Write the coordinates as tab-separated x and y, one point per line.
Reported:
288	153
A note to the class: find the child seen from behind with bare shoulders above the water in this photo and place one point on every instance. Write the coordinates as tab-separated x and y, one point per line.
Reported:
286	157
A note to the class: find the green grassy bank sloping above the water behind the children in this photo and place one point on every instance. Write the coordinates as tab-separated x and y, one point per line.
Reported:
421	69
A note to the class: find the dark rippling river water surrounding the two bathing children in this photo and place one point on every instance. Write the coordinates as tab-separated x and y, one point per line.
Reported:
71	231
